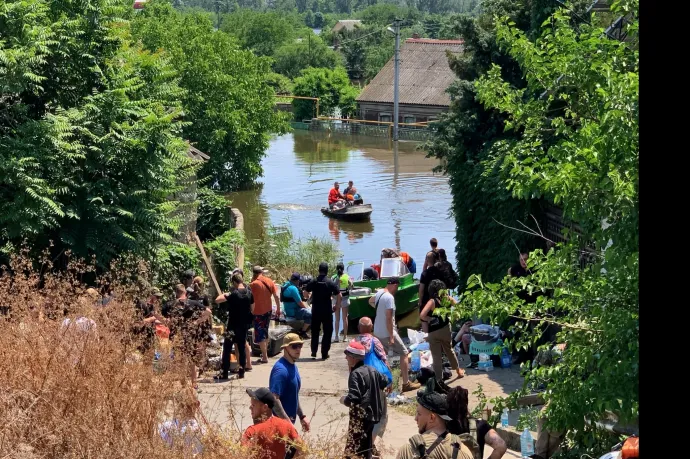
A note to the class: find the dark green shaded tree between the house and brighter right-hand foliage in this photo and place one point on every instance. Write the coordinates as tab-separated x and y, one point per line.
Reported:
464	139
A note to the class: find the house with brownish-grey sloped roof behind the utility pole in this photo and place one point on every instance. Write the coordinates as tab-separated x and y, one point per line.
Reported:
424	77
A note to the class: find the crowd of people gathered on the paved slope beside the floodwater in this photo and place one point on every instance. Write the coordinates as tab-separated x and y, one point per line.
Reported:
445	427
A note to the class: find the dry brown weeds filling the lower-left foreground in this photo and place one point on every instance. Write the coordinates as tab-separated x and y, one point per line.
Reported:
70	393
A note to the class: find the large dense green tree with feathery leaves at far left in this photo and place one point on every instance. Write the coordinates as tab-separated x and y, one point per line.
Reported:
90	124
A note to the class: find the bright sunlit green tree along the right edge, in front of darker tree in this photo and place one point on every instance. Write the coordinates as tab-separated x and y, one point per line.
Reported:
578	146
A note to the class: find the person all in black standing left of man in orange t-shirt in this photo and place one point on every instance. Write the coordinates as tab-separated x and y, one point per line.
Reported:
241	307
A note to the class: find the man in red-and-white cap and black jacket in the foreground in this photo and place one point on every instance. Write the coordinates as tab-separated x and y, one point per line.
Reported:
365	398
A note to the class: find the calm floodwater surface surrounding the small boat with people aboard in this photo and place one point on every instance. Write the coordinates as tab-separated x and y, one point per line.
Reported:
410	202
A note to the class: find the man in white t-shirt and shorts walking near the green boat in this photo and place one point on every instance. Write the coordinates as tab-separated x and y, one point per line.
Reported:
386	331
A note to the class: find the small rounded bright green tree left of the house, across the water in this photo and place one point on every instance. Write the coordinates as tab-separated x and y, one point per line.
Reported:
331	86
